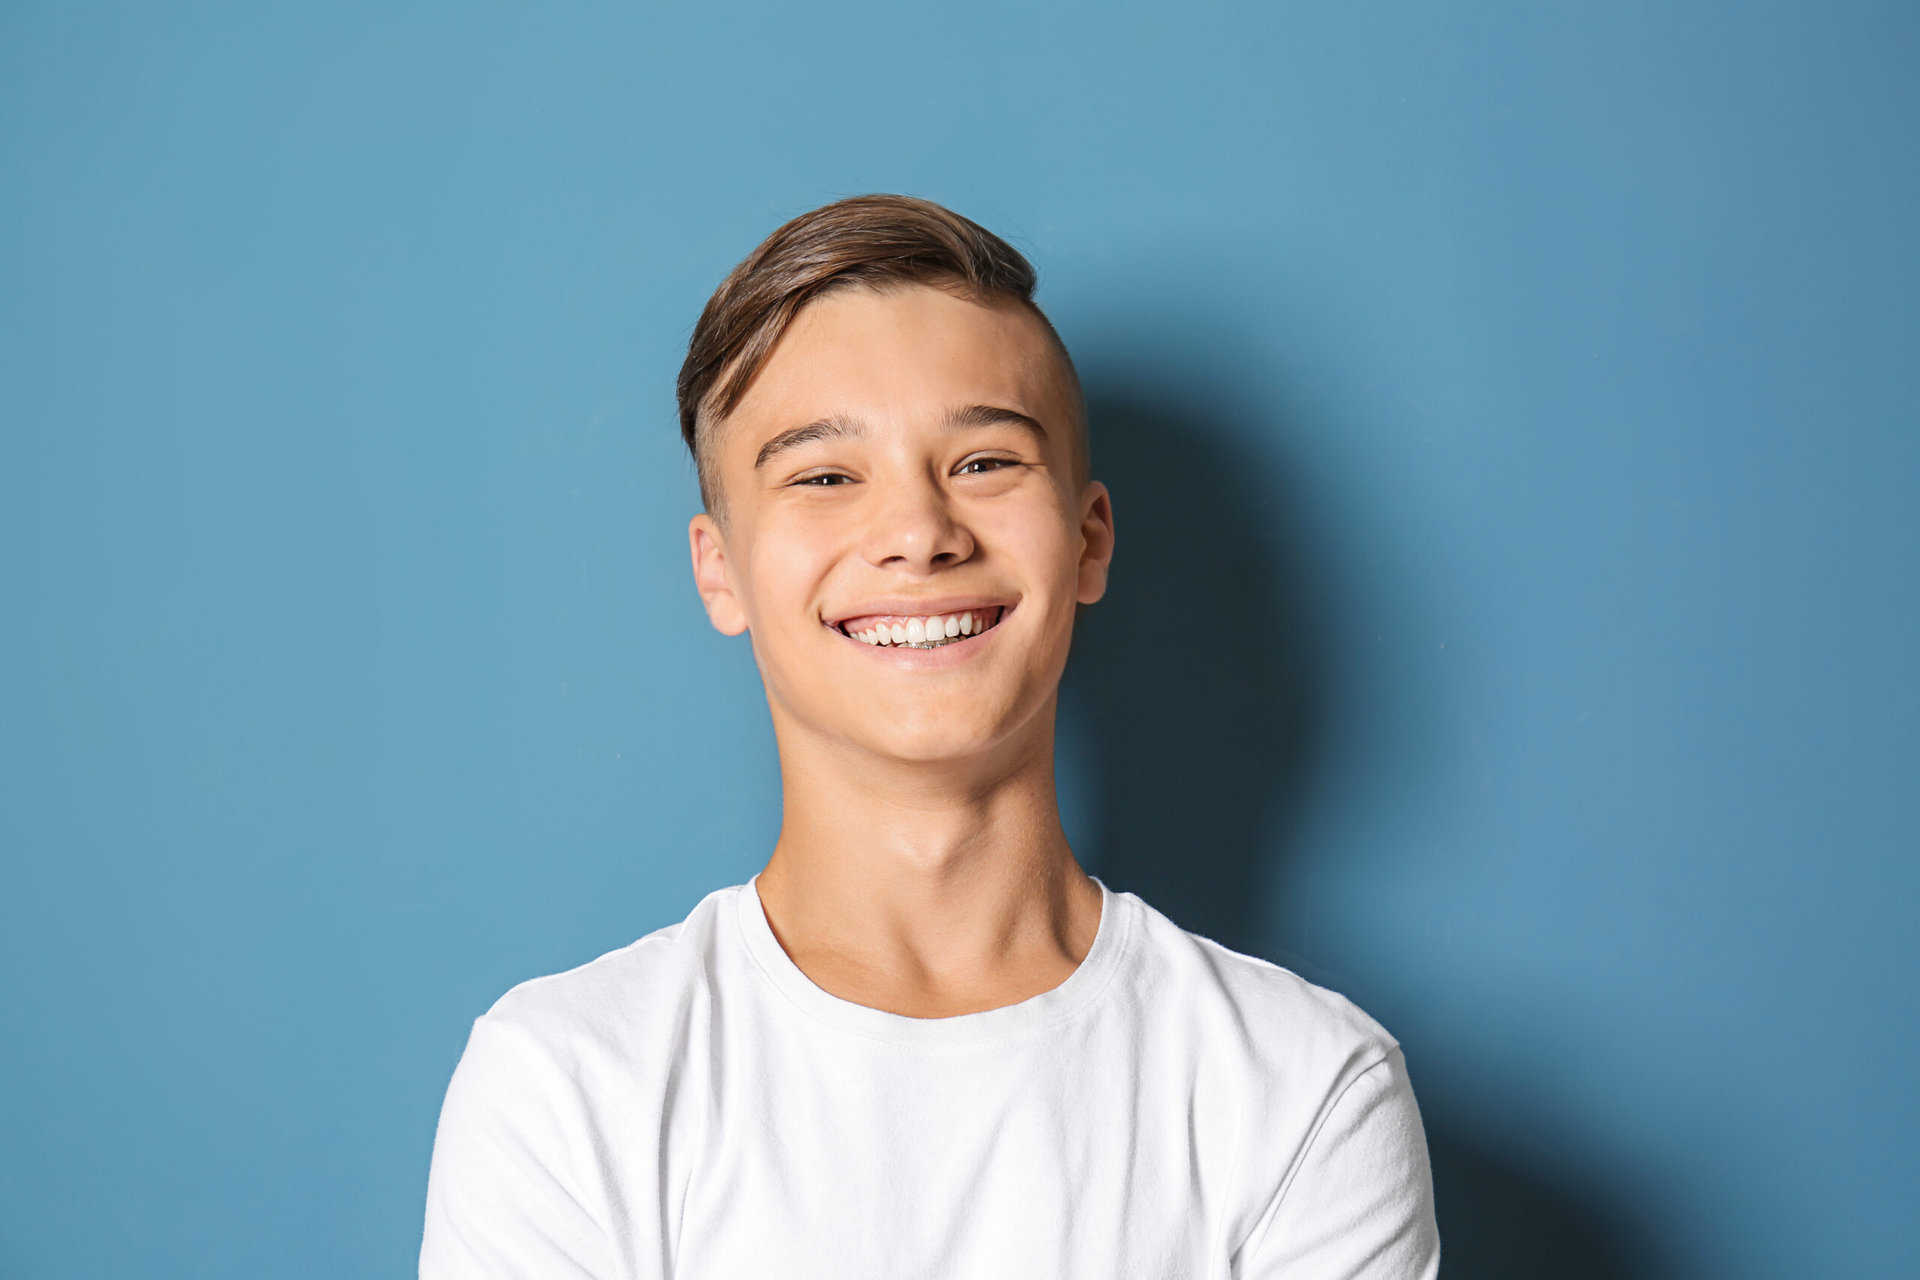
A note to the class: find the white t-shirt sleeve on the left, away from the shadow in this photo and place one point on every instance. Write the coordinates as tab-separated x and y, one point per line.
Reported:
506	1193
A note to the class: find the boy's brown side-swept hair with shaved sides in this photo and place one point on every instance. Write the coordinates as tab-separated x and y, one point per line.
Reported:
865	241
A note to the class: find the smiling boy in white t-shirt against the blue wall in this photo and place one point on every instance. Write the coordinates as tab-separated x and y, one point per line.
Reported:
923	1041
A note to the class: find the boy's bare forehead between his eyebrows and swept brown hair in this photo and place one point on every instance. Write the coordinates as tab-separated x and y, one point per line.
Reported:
900	354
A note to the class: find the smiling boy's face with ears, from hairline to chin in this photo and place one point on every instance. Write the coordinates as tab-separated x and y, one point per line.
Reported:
905	517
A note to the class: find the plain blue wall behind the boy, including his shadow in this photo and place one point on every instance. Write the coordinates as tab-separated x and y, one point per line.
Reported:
1514	437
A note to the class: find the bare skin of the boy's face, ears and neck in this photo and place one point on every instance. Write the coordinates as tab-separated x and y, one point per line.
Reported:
921	865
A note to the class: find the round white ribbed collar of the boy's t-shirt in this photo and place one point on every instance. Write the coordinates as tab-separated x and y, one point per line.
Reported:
988	1026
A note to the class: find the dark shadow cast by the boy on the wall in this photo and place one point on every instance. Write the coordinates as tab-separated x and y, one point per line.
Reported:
1201	684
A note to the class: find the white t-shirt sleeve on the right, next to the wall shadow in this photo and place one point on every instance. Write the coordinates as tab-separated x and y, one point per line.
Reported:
1358	1204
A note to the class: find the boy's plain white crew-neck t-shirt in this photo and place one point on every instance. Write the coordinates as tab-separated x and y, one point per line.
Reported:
696	1106
